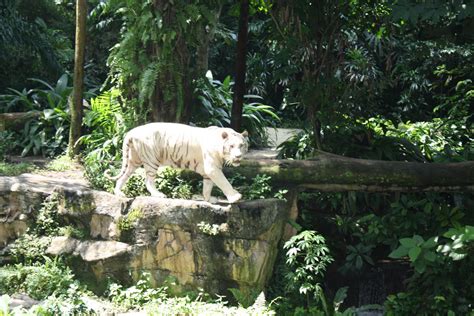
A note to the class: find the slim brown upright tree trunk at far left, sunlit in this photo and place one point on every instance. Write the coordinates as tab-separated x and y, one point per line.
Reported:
76	104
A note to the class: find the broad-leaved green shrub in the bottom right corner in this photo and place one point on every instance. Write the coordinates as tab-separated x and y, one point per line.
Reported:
440	284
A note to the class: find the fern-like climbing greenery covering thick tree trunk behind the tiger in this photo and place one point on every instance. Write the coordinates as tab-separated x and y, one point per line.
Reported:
163	49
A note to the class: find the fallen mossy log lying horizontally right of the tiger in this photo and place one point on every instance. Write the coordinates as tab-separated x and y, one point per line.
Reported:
336	173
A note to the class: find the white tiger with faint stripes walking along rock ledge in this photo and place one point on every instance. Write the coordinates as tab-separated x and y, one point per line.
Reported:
203	150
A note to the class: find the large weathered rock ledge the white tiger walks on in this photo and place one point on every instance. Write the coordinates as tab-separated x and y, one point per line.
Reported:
198	244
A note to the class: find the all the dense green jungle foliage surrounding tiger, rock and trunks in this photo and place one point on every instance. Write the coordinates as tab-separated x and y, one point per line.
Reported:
389	80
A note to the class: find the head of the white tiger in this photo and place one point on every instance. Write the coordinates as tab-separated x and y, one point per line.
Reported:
235	146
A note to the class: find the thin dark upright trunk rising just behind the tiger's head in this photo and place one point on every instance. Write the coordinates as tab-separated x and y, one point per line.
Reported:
240	67
